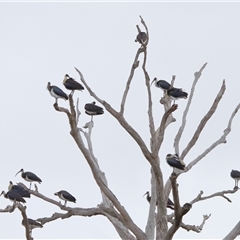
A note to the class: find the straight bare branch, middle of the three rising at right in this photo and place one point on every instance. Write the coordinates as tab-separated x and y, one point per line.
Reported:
204	121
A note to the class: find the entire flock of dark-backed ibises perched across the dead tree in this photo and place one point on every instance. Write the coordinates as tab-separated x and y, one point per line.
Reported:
17	193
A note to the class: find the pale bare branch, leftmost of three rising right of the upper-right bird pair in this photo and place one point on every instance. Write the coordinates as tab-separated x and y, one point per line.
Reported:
197	75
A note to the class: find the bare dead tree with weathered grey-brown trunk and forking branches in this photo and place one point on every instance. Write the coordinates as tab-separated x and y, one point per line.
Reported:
111	207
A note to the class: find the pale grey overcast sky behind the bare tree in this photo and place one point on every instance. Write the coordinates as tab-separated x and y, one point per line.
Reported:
41	42
